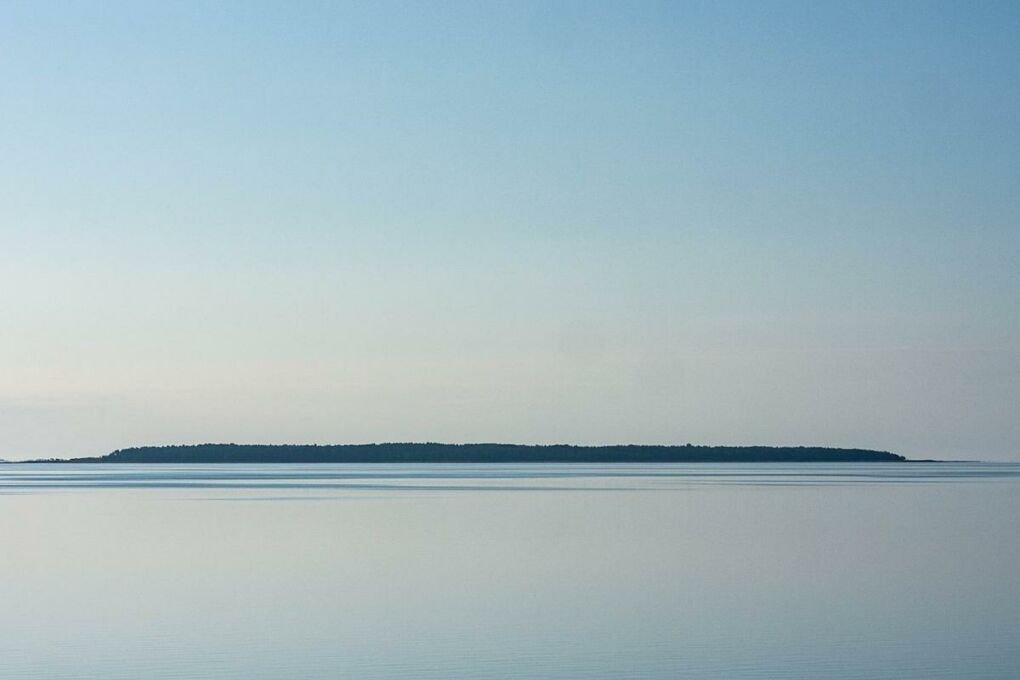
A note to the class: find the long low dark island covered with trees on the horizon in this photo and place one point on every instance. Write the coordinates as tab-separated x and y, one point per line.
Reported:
485	453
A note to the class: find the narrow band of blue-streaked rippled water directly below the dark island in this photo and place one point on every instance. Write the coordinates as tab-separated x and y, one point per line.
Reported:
509	478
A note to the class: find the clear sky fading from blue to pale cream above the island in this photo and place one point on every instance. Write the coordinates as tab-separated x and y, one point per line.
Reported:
652	223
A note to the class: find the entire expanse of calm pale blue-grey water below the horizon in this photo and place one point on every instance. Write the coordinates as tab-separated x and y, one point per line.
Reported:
553	571
